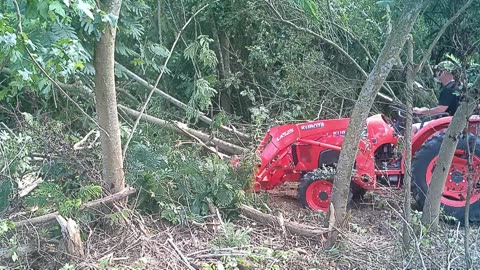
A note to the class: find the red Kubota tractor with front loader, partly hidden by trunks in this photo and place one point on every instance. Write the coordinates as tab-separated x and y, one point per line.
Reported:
308	152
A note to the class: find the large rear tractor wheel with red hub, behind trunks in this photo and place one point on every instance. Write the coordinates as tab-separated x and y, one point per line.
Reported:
455	191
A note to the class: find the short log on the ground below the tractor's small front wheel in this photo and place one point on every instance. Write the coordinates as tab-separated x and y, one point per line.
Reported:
292	227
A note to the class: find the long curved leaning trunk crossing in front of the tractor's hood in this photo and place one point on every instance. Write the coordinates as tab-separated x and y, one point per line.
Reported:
375	79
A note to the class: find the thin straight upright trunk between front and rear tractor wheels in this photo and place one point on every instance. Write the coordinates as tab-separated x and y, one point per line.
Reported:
407	159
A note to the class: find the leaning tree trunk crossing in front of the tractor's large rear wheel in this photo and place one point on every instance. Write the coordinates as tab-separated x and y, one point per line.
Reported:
431	209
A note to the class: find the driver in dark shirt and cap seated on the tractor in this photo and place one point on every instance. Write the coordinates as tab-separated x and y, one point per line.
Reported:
449	98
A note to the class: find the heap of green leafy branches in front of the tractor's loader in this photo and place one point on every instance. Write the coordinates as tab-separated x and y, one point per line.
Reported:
180	183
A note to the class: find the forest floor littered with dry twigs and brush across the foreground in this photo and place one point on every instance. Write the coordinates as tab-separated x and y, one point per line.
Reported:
372	240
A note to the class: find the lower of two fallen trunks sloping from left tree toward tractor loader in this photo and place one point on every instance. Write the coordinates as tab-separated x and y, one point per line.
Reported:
224	146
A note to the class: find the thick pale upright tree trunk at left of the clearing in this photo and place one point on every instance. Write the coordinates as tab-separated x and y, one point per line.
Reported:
106	103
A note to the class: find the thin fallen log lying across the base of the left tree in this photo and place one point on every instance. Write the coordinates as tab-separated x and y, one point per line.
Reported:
52	216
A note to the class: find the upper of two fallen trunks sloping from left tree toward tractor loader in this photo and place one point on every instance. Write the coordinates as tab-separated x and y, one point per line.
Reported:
177	102
